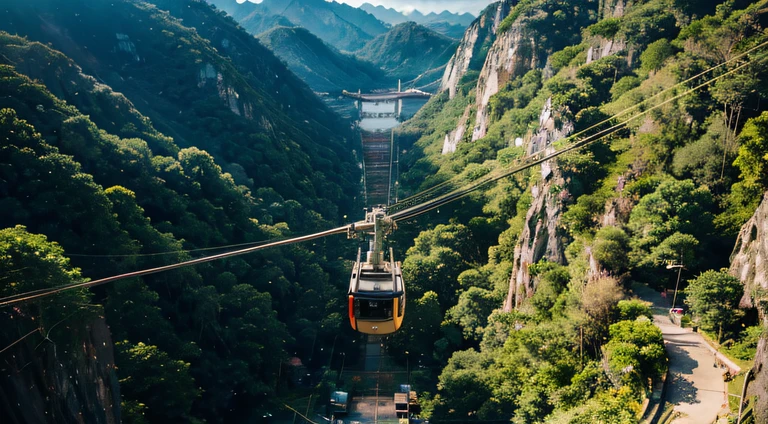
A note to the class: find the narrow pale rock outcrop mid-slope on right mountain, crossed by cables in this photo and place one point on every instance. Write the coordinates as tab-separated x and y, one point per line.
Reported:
541	236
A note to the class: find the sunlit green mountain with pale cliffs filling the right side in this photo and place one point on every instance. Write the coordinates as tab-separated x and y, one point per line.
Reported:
529	280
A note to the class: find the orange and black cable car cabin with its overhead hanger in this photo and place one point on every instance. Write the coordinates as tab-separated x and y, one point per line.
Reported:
376	289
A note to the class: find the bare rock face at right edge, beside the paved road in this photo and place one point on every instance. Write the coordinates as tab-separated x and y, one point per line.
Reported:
749	262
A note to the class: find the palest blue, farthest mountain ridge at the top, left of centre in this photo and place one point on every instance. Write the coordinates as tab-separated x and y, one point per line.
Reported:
342	26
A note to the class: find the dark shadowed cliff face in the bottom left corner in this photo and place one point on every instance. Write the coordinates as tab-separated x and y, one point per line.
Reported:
61	382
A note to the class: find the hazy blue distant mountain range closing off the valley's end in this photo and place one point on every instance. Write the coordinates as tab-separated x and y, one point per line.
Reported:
408	52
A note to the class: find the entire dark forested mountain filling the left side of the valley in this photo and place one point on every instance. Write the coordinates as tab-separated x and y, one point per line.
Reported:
94	182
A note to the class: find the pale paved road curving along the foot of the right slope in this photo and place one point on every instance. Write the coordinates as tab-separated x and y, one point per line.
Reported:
696	388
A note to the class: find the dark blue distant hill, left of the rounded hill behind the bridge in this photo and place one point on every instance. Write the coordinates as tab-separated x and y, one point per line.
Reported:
319	65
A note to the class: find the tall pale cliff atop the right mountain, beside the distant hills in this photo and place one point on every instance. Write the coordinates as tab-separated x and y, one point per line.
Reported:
481	33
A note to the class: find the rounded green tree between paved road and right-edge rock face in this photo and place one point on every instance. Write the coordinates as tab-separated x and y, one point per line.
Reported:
714	299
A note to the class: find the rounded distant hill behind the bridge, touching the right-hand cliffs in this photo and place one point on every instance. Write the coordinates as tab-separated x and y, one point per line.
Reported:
409	52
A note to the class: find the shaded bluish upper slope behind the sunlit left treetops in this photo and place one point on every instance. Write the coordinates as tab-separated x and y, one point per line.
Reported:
235	100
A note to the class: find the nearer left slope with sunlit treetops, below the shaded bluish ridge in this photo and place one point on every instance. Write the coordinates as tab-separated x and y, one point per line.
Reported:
133	201
